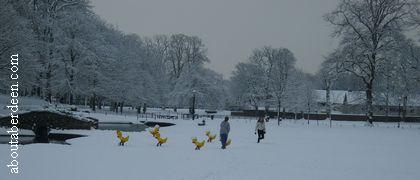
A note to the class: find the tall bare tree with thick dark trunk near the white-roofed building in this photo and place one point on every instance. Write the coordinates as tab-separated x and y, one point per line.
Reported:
366	28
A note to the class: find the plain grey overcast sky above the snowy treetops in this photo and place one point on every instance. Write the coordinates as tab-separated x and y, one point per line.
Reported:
230	29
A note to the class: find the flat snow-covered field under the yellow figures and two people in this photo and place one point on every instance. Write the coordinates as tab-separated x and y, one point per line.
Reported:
293	150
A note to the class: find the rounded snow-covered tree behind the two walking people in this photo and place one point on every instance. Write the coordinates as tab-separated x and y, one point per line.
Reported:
269	78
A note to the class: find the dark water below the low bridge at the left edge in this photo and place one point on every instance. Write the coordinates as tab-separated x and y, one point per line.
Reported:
55	138
